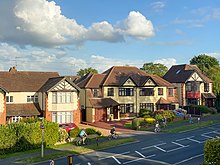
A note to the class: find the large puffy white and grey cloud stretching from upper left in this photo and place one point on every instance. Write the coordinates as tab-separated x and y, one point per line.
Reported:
41	23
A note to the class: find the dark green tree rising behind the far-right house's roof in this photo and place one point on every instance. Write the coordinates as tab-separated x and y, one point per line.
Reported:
204	62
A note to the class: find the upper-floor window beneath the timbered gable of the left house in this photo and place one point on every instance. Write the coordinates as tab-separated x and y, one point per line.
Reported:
62	97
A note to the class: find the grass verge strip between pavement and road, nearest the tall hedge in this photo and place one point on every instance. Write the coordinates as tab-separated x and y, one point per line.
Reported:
54	153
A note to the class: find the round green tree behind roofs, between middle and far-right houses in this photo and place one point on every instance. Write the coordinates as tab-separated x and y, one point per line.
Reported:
156	69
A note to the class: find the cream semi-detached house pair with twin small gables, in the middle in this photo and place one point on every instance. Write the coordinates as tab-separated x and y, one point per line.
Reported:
121	91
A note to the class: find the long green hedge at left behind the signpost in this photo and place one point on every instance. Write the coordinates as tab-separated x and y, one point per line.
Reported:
25	136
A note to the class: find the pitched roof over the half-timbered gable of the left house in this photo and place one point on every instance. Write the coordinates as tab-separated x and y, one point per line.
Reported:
51	82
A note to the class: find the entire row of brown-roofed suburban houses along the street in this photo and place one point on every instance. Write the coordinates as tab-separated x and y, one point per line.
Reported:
118	93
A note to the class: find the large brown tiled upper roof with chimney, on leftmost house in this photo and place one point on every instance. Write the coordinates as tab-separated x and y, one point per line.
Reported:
19	81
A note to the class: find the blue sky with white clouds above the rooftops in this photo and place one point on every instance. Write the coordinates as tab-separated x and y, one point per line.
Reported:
68	35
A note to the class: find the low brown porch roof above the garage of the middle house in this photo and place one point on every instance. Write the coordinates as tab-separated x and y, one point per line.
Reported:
103	102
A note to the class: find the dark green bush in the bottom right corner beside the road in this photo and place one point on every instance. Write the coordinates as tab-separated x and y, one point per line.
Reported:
211	151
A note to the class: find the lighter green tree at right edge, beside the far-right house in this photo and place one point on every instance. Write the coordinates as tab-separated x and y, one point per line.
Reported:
214	74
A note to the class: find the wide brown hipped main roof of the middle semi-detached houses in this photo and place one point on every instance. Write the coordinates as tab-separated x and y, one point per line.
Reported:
118	75
